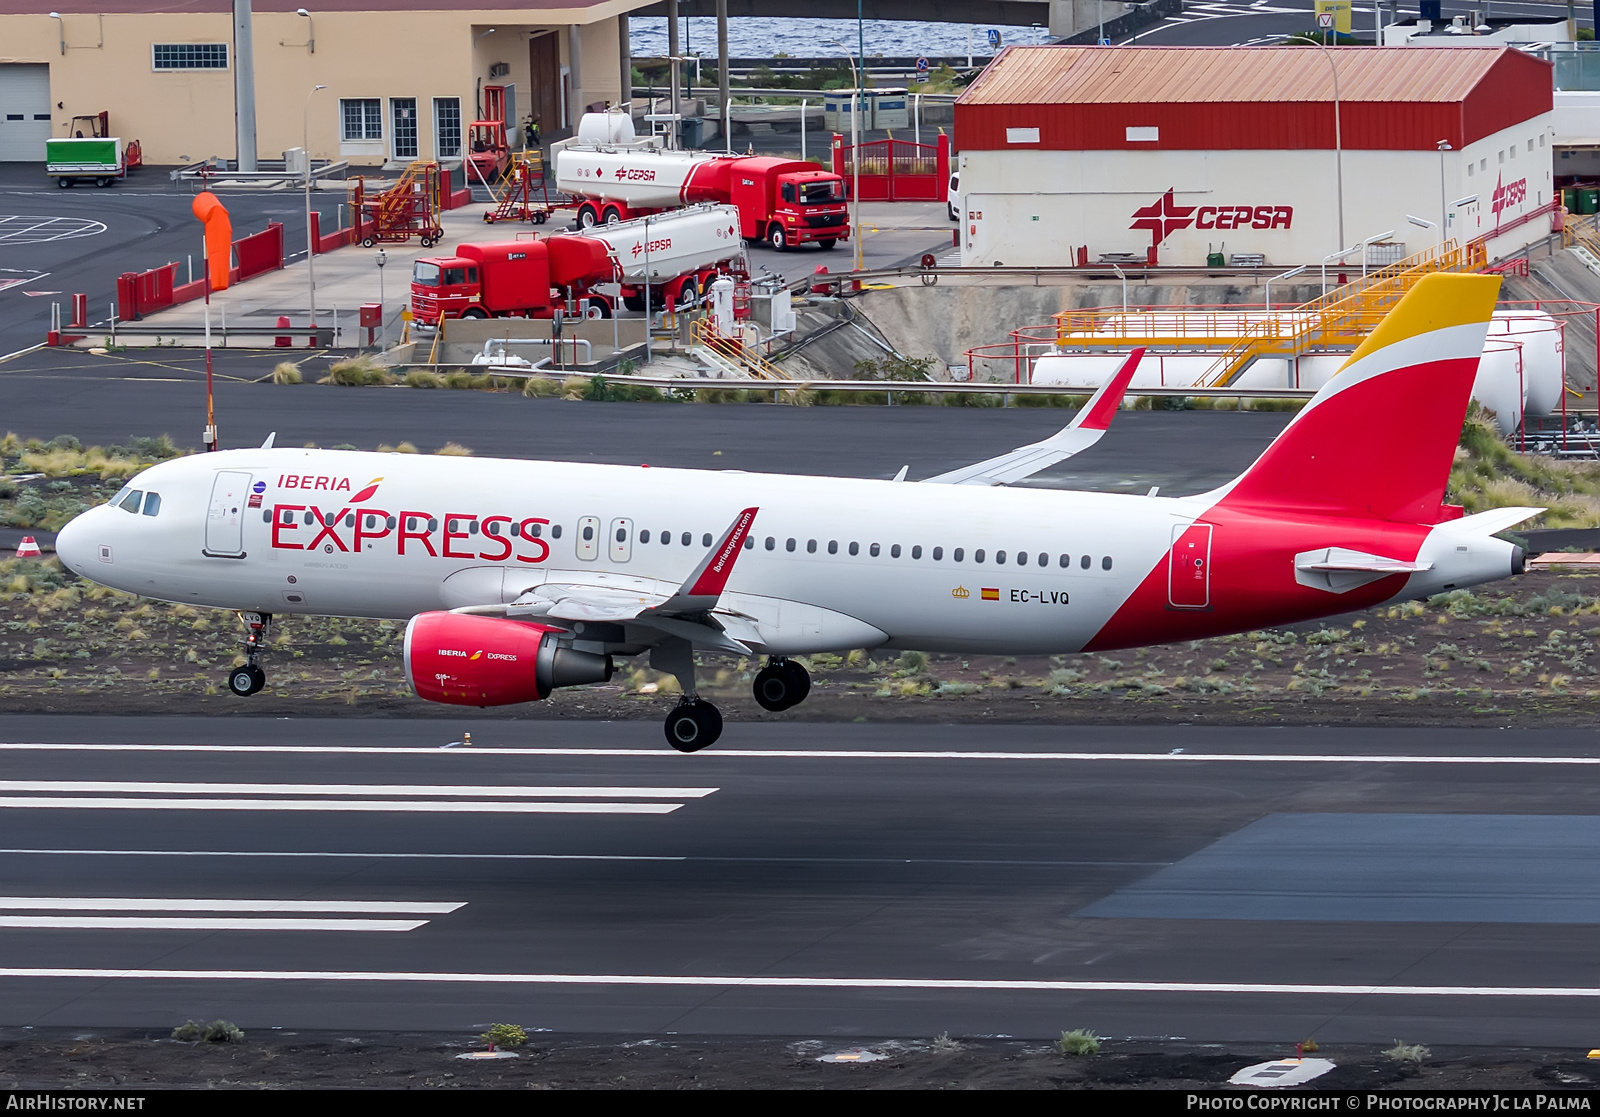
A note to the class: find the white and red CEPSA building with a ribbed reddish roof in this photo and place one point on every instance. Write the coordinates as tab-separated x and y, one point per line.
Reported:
1289	154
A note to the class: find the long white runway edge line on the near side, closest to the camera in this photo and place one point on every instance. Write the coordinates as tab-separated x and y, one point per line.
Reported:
802	983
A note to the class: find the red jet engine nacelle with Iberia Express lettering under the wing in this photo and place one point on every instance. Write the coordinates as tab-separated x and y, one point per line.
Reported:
490	662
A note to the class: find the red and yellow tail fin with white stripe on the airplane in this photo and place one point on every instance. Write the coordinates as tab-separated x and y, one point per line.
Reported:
1380	438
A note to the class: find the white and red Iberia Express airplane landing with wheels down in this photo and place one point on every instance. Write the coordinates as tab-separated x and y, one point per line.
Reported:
521	577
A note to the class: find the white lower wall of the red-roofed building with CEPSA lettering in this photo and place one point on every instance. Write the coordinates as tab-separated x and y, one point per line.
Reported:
1034	207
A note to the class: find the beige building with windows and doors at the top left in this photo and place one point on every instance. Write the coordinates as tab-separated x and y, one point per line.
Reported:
404	78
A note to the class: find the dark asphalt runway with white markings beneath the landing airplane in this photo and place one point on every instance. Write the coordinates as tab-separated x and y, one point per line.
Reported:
1210	886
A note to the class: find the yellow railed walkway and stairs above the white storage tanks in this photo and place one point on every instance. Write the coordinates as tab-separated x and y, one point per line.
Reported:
1334	321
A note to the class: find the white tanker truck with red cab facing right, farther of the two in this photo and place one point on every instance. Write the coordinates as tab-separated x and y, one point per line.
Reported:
780	201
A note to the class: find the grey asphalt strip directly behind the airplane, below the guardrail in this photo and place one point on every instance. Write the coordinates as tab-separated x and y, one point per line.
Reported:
108	399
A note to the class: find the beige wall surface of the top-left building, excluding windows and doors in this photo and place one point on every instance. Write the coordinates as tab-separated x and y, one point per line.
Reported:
188	116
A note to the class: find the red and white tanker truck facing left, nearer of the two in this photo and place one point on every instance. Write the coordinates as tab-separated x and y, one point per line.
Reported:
676	255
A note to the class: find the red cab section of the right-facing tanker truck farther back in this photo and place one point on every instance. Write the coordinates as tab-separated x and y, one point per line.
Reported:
782	201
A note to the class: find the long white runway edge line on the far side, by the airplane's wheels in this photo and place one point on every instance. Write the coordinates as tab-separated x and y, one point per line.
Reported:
809	755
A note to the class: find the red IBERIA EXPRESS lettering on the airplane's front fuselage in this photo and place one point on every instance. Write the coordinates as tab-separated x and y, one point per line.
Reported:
361	529
